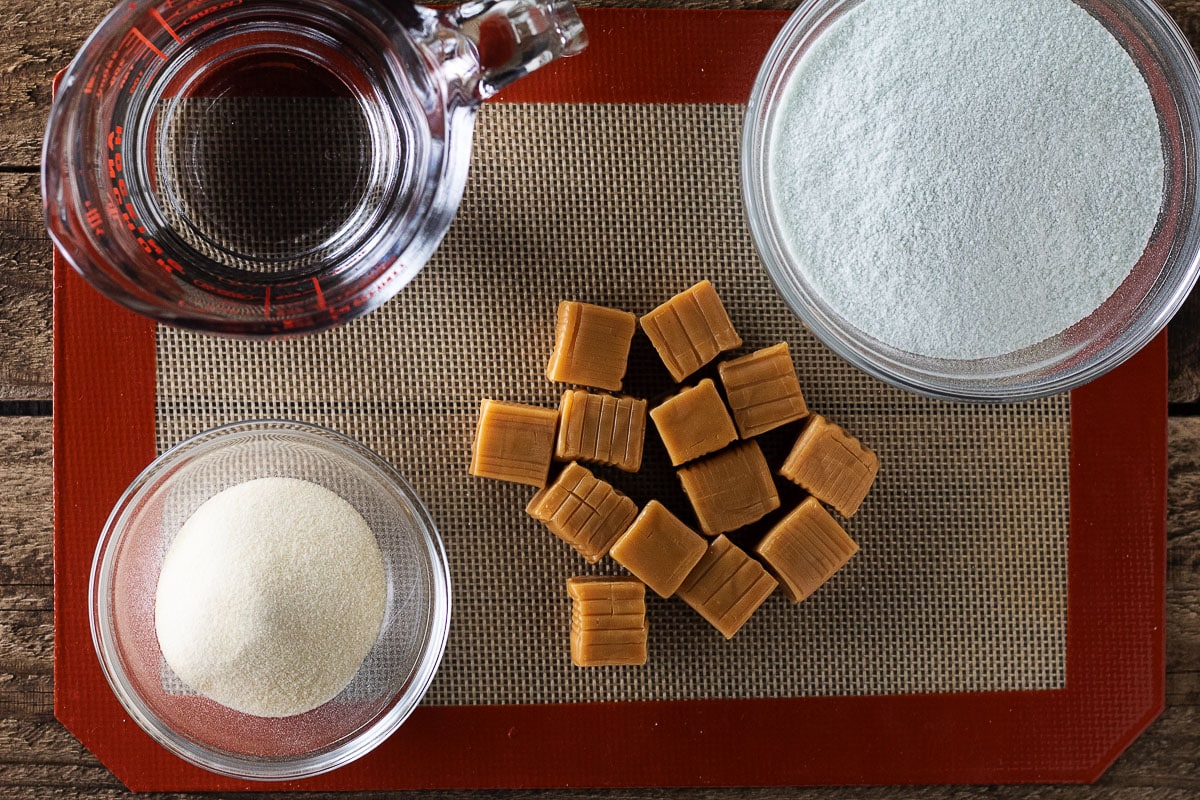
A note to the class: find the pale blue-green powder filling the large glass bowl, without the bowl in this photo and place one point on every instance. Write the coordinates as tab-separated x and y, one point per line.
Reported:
965	178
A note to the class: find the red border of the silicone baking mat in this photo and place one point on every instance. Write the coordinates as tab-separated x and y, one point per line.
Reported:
104	437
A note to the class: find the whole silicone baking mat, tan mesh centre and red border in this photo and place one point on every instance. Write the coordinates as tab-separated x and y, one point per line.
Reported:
962	645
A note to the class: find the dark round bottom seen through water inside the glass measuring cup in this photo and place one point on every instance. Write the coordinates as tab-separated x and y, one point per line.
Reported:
263	164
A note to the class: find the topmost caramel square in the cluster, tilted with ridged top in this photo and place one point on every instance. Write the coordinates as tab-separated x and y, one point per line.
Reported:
691	330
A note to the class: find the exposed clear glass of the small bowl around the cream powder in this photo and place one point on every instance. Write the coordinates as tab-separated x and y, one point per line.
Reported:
392	679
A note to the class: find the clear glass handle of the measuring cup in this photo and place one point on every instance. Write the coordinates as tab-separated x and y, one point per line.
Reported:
514	38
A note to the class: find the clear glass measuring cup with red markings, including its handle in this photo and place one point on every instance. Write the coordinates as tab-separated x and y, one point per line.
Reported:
271	167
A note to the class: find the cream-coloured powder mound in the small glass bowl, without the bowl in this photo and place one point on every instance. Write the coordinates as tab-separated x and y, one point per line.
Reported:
271	597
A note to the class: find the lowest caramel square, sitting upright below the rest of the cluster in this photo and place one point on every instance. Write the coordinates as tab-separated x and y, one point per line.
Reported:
608	622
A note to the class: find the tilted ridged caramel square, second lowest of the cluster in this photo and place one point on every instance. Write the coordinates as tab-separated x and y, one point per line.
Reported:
727	587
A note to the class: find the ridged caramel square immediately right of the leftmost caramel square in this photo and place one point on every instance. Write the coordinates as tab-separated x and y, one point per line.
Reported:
602	429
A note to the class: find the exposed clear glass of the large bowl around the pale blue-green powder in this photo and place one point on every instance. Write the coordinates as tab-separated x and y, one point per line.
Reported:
1125	323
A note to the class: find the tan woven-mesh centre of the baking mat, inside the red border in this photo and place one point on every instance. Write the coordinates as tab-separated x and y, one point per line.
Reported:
962	581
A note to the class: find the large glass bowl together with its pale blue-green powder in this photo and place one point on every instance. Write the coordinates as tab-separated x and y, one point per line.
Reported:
977	200
